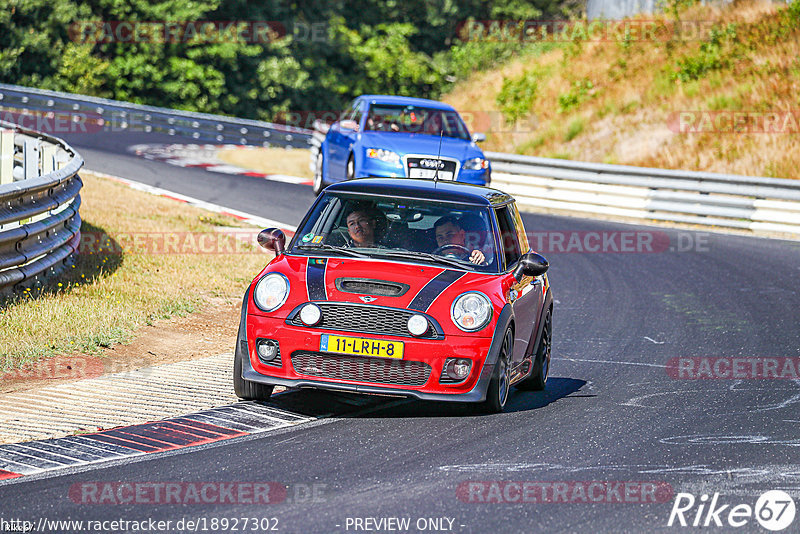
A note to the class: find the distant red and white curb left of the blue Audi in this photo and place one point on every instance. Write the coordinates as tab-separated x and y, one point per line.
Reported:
205	157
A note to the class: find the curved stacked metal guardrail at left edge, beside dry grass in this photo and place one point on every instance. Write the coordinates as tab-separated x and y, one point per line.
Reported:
39	202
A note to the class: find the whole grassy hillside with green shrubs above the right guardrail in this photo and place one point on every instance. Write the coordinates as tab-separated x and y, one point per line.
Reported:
623	100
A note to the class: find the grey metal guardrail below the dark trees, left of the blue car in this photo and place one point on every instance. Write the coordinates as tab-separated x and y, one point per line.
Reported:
117	116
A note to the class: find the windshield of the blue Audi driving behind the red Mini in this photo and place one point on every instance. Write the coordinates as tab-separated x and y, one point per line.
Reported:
414	119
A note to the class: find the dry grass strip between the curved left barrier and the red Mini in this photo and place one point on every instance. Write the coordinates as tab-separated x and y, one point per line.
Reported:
105	297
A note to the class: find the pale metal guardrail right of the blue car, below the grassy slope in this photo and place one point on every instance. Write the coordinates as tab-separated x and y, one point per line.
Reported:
730	201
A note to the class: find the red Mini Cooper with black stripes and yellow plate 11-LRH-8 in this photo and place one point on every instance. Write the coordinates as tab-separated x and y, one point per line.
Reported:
415	288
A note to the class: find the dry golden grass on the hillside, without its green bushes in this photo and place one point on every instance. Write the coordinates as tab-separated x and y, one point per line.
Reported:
634	93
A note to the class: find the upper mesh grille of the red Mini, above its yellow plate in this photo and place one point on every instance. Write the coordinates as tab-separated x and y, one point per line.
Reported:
366	319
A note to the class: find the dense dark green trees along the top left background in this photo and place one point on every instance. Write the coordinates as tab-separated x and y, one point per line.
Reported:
328	53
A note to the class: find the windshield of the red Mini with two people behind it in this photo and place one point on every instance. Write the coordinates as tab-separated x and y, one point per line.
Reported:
416	230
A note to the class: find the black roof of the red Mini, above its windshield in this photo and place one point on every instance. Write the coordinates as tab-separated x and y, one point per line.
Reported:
446	191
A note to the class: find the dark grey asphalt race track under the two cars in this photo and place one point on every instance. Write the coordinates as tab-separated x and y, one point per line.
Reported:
611	411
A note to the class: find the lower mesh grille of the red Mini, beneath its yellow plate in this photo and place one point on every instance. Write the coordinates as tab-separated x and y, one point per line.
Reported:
360	369
